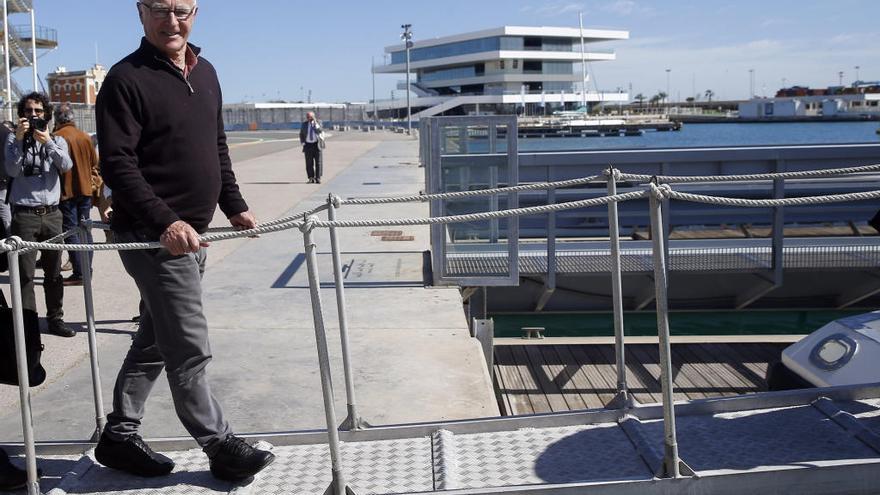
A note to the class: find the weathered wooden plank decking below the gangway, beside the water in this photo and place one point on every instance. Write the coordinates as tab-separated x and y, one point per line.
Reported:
548	378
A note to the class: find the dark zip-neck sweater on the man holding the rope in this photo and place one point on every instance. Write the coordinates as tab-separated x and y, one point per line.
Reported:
162	146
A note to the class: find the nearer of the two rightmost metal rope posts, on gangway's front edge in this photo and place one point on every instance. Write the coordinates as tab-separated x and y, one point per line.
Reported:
670	454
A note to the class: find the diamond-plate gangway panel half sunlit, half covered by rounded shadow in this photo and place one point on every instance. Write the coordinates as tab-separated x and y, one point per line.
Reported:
545	455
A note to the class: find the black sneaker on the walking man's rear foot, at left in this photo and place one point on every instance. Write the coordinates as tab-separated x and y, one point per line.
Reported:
133	456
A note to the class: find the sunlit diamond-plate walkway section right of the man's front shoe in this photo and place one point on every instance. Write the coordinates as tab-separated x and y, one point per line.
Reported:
388	466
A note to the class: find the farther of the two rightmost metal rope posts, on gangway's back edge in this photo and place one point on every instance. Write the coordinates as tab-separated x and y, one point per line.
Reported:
623	399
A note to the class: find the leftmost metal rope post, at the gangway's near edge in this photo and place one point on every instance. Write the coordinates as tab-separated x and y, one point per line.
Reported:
27	424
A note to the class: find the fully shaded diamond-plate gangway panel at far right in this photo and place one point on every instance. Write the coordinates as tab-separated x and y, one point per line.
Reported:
760	438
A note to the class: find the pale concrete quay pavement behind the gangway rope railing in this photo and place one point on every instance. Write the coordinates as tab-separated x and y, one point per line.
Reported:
412	355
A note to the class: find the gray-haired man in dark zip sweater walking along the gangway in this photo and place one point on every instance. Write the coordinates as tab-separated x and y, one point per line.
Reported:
164	155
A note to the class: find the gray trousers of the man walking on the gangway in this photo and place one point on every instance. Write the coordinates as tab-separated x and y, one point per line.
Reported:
173	335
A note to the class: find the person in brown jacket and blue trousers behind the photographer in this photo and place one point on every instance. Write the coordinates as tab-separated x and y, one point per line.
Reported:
78	185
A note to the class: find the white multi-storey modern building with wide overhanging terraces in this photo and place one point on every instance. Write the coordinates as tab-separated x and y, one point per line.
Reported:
506	70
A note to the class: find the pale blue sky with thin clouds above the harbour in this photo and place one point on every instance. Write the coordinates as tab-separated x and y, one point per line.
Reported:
268	49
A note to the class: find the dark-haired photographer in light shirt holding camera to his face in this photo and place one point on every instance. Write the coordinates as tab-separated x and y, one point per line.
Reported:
35	161
